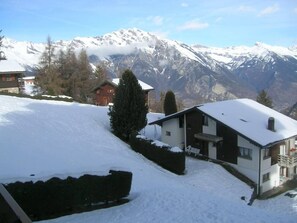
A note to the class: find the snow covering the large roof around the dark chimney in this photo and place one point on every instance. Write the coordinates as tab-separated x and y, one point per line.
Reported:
250	118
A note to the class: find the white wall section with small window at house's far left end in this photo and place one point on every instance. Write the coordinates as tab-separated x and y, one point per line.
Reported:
172	134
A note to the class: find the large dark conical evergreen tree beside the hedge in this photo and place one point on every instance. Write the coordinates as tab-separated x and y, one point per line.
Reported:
128	113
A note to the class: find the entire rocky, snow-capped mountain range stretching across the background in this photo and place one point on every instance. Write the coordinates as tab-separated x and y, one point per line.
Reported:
196	74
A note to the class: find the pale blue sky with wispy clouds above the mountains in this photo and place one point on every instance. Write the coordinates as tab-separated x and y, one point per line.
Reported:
218	23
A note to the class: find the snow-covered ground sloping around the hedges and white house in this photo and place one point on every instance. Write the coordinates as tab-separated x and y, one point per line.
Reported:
42	139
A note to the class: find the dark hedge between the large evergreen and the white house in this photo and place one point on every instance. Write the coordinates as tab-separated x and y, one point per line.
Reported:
173	161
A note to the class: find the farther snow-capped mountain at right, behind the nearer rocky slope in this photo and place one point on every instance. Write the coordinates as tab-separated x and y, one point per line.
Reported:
273	68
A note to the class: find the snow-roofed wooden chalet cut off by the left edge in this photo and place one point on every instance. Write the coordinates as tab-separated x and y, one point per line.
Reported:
10	76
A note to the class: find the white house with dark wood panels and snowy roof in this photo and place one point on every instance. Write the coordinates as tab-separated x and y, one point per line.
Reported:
258	141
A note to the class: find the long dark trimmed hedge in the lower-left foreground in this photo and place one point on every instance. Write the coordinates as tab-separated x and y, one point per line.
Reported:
56	197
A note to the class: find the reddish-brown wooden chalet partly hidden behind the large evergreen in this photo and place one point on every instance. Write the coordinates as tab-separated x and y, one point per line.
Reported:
104	93
